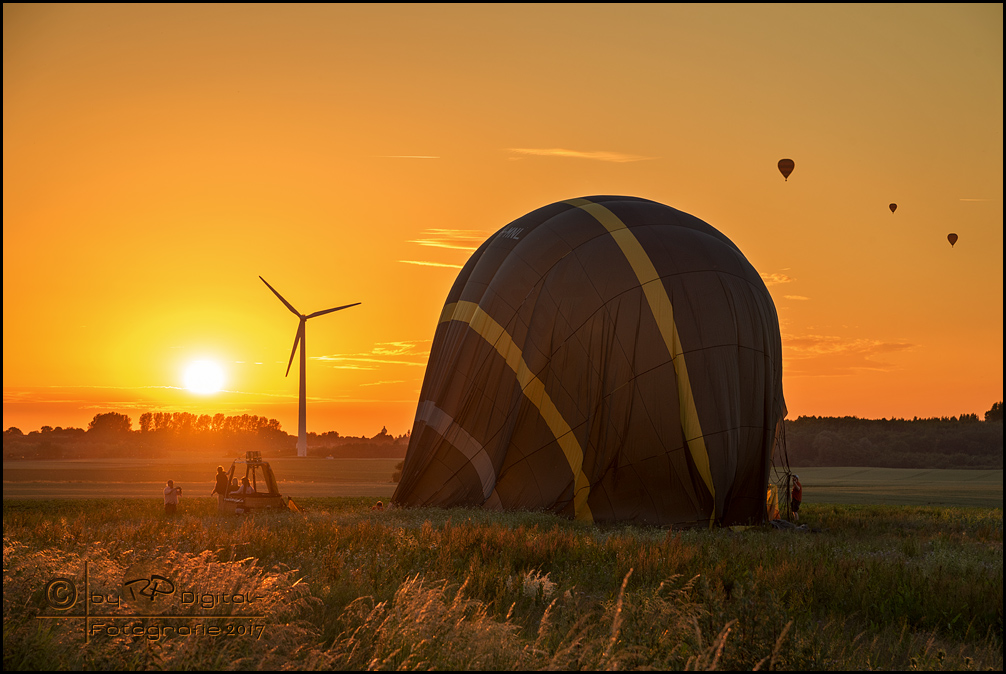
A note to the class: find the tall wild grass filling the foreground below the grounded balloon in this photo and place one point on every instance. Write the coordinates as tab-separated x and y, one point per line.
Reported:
343	587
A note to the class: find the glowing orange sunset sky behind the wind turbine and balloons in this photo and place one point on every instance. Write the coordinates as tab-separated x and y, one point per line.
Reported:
159	158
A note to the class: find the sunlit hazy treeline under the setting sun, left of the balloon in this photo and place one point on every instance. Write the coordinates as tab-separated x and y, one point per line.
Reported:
161	435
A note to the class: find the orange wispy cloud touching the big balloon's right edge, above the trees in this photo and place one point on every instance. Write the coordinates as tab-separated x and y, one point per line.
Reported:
830	356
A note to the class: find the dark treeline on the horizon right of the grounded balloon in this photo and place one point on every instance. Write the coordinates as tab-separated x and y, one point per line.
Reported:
955	442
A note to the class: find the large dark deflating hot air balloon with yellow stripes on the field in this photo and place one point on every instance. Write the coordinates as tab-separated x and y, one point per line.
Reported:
607	359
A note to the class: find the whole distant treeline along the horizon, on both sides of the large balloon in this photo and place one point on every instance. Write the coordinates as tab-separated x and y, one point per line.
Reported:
954	442
